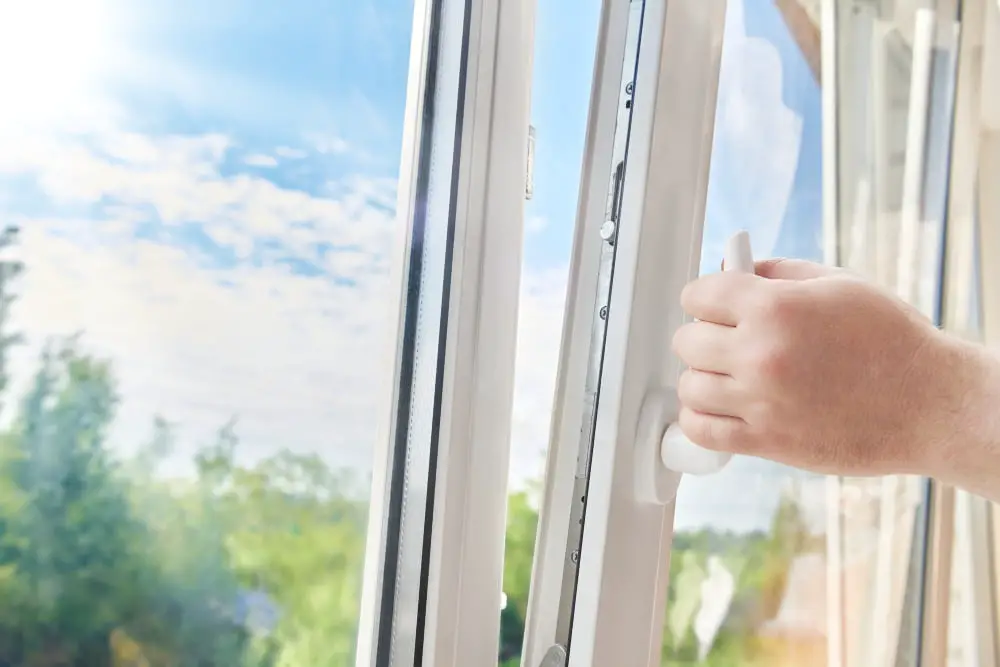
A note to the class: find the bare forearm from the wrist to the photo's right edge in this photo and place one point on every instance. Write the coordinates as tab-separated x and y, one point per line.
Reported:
970	458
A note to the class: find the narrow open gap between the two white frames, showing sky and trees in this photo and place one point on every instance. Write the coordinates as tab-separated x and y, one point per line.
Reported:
565	45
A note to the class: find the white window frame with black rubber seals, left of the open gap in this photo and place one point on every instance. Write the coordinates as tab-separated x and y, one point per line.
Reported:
439	488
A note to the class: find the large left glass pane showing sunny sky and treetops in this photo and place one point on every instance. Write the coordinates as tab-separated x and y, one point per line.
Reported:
205	197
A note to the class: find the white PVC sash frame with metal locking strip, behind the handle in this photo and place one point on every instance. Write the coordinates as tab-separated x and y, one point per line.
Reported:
624	561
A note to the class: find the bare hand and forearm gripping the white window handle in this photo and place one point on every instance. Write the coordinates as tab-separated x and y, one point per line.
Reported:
818	369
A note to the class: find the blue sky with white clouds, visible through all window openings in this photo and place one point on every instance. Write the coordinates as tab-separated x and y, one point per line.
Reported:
209	195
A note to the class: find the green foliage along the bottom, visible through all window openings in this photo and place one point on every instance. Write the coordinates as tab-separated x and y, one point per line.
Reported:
112	561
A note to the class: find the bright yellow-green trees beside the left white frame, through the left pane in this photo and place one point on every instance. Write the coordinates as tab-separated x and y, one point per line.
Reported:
294	540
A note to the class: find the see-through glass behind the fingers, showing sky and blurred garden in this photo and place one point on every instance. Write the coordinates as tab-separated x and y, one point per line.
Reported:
748	569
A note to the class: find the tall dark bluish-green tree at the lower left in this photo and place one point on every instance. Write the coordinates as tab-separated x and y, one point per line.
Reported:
70	539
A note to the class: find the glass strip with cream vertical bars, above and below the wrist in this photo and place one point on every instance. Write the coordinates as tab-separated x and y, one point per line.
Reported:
895	97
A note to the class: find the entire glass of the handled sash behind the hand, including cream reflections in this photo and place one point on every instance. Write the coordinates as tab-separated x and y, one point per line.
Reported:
785	535
